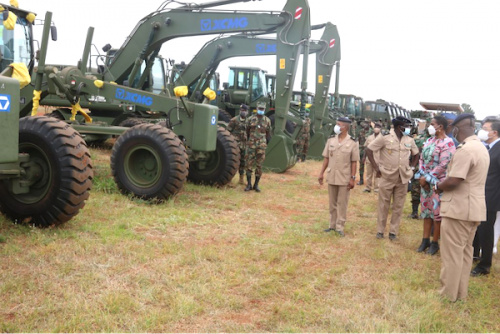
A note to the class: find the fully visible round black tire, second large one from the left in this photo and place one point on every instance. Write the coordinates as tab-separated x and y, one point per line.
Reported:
149	162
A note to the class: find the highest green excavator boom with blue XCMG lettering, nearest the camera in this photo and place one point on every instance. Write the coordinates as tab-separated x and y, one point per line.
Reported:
160	26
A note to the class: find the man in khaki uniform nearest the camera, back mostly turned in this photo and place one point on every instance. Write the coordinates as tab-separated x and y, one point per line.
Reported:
463	206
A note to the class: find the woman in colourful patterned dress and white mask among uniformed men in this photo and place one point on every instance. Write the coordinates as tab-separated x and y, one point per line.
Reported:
434	159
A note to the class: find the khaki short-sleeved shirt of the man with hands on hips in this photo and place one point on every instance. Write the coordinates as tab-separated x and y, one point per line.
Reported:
394	163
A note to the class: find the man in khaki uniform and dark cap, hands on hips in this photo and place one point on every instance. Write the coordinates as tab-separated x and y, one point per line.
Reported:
395	170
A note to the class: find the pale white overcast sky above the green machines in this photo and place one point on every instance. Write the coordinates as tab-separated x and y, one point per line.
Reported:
405	52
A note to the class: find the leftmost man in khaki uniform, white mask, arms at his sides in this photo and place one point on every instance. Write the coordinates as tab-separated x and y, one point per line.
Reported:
341	154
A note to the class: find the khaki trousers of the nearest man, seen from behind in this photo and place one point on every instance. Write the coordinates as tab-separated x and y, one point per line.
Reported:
456	256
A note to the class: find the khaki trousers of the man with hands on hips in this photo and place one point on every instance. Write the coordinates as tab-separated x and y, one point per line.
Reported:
396	191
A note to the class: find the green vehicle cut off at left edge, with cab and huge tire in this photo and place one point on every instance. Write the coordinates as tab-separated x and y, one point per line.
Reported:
45	166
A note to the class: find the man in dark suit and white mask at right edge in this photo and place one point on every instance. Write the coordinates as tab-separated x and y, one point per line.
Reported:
483	241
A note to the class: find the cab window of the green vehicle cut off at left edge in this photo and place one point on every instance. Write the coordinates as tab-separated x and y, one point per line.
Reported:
15	46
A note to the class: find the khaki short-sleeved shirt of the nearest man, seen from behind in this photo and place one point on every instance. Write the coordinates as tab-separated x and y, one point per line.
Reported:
470	162
